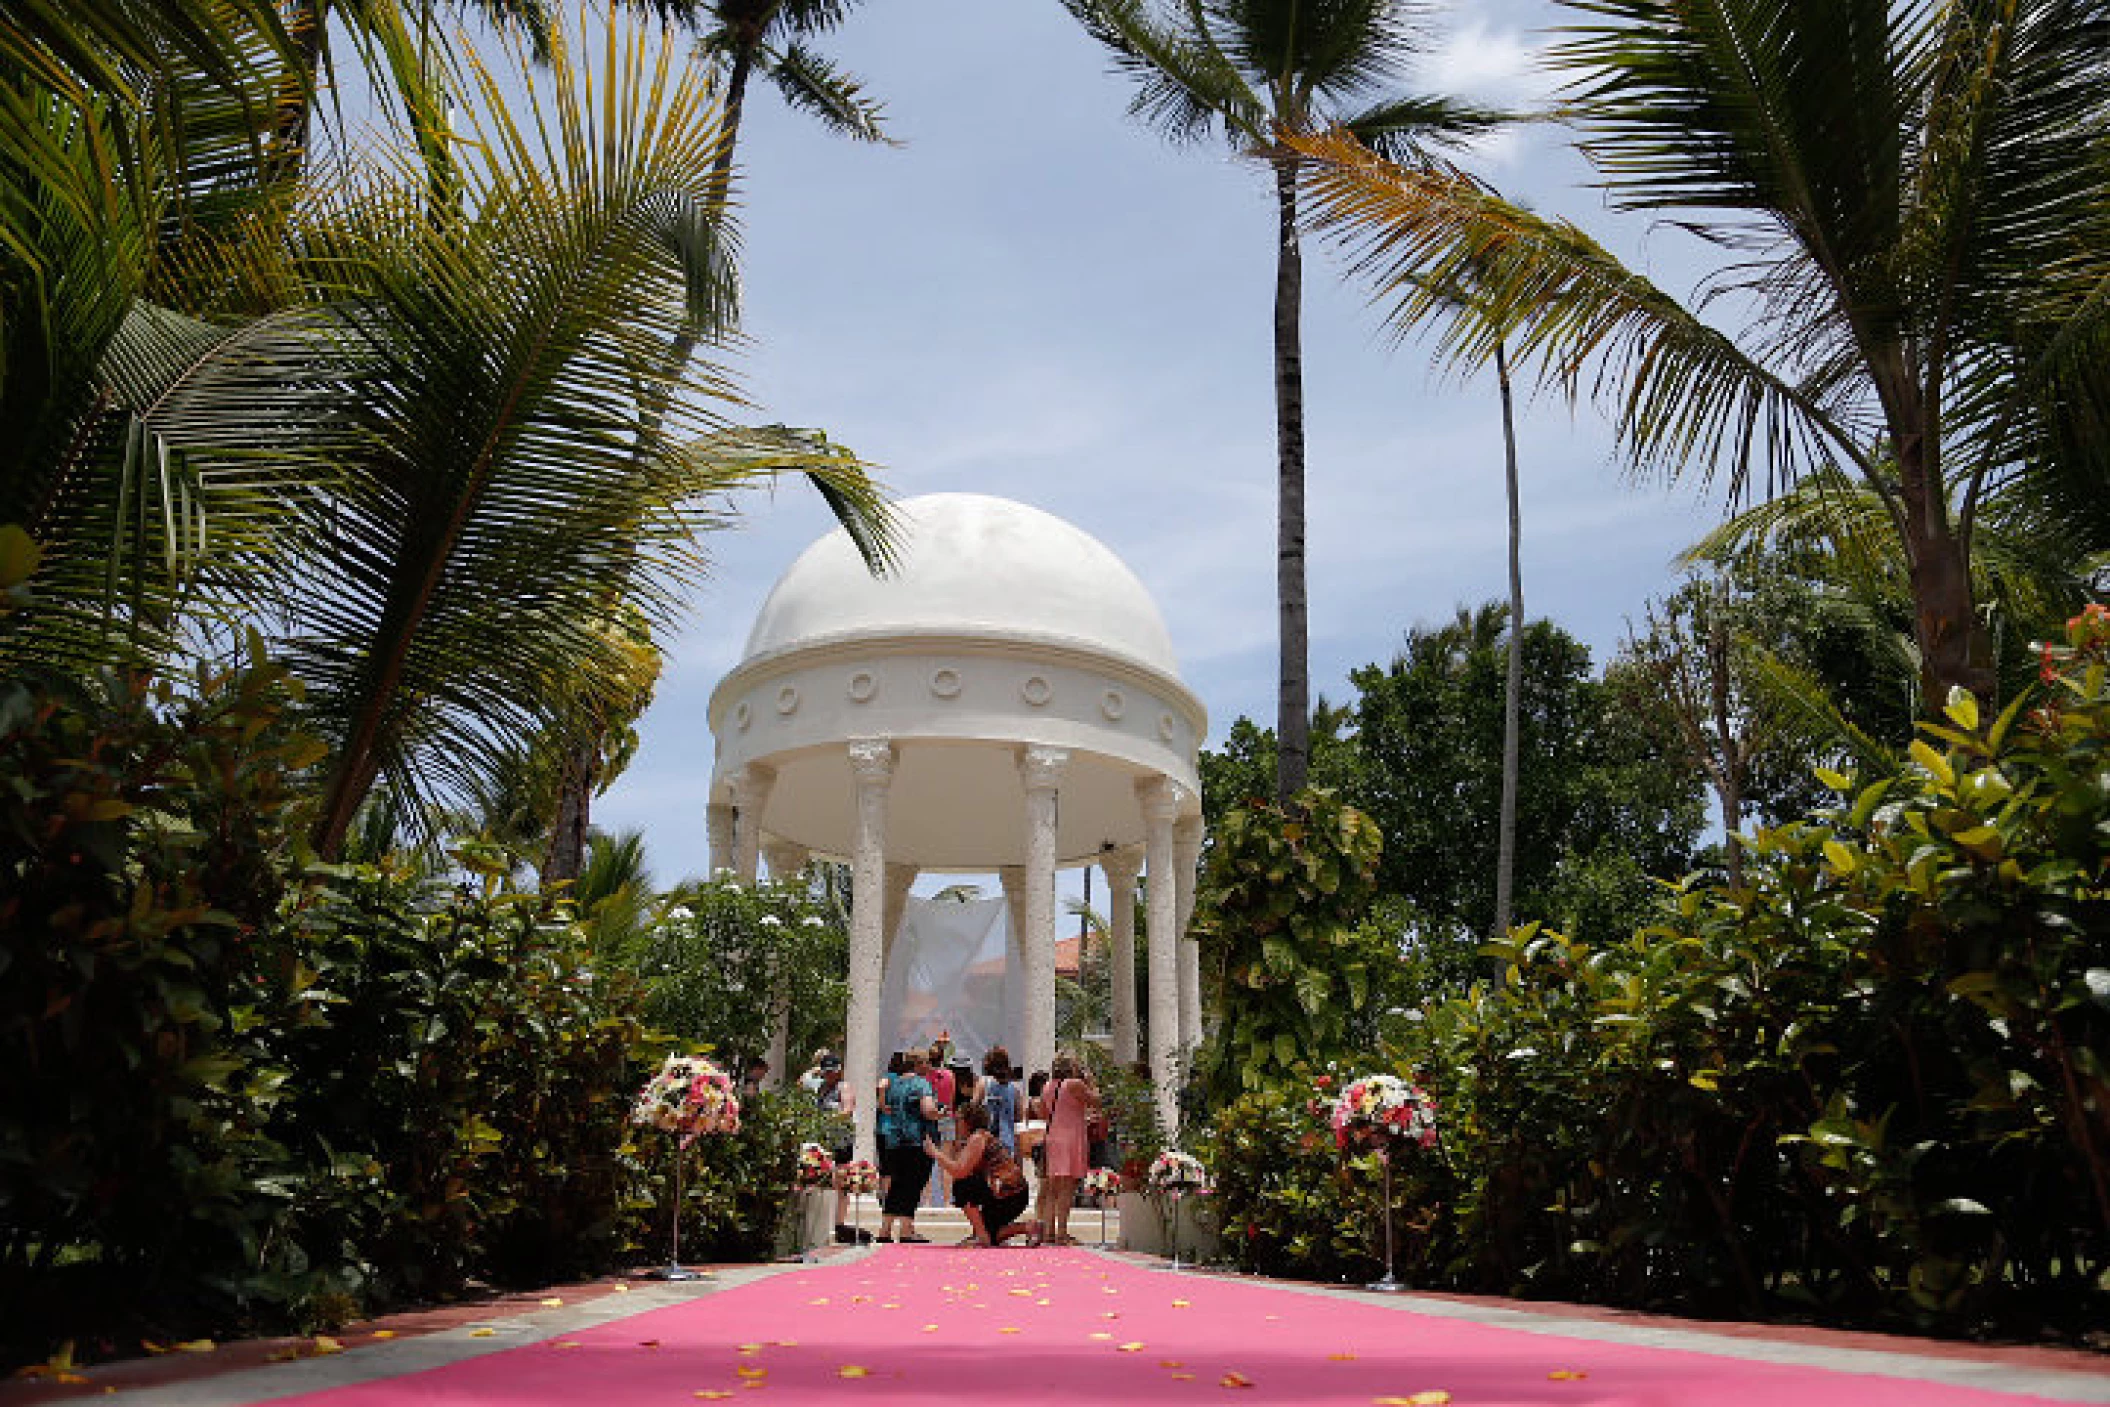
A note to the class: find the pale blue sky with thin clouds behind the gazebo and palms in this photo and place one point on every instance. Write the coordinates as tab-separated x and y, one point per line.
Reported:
1035	296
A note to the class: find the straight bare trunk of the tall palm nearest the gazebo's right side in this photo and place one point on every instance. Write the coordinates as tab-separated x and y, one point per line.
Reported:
1292	712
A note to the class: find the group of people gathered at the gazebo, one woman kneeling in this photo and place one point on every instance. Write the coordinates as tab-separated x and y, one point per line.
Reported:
980	1132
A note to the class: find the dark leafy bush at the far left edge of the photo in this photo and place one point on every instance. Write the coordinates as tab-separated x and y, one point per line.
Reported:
147	839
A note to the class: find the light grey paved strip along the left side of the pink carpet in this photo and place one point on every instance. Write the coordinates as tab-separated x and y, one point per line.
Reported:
427	1351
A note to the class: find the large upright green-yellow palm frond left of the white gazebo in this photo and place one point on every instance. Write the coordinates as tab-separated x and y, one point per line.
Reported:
516	499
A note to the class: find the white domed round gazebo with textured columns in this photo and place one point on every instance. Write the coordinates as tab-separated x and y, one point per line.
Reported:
1005	701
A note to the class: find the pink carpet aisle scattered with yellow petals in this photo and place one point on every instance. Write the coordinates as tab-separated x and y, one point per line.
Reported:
1020	1328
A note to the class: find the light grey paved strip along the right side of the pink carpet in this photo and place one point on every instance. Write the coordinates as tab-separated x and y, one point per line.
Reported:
1982	1374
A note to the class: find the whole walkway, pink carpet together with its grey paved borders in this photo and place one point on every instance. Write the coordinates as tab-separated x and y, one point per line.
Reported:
1027	1328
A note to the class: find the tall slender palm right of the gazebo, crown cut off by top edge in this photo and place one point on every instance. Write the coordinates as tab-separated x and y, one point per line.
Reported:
1252	71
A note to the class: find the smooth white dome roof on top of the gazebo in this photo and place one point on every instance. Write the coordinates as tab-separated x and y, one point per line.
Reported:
972	566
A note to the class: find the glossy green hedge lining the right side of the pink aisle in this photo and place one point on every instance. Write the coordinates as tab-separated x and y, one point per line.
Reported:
1868	1085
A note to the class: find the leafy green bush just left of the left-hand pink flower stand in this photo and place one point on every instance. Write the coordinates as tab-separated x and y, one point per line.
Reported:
459	1092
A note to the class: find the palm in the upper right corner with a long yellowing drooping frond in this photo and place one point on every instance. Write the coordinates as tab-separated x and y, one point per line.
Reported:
1921	218
